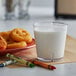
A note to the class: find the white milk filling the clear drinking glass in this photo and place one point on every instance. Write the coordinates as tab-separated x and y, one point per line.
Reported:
50	43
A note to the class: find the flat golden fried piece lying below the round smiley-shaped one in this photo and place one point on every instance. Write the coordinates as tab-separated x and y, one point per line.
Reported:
17	45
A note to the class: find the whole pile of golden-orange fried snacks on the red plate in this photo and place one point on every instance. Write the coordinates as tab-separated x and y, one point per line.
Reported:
16	38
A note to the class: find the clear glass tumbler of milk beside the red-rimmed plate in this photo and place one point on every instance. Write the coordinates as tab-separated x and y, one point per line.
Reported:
50	40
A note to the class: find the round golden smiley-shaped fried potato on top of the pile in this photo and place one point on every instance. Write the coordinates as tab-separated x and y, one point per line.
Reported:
19	34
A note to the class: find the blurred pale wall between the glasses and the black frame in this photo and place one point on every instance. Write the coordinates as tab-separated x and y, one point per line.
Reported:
44	8
